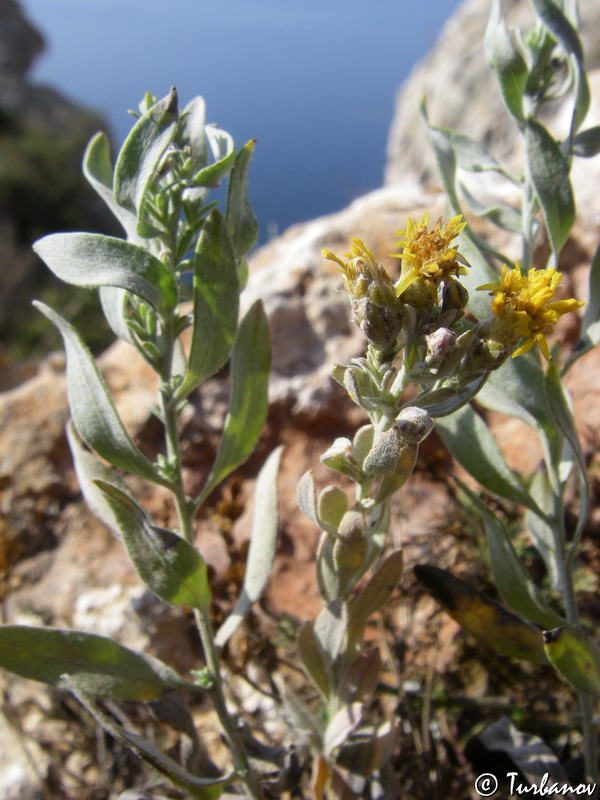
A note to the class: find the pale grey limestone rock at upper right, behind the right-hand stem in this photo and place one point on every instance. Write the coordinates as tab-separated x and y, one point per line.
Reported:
462	94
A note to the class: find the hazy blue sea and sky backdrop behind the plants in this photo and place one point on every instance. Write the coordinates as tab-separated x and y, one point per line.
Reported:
312	80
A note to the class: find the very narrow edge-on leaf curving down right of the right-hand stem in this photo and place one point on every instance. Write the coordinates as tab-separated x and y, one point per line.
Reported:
560	408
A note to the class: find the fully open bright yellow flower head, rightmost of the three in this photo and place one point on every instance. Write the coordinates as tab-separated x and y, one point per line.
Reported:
525	304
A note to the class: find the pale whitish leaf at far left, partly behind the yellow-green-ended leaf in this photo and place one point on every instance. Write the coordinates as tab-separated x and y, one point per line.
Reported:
88	468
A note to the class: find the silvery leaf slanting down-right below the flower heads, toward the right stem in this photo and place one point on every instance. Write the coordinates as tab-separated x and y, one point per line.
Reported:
470	441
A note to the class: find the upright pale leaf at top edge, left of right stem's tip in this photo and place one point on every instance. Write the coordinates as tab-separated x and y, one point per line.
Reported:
506	60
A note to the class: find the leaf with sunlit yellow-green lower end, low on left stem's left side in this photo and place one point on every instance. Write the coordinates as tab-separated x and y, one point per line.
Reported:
171	567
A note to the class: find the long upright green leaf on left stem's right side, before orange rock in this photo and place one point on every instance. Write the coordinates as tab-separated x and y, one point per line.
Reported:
250	364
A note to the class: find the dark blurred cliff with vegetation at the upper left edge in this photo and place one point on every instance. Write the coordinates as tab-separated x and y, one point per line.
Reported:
42	138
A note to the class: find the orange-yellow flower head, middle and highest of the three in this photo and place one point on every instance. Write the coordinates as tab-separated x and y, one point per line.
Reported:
427	255
